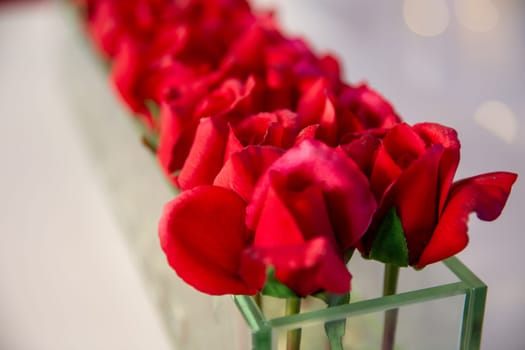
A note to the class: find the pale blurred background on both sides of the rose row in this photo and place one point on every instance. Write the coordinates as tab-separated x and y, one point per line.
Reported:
67	277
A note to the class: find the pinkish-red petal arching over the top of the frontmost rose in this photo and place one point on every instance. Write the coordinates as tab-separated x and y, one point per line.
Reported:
349	200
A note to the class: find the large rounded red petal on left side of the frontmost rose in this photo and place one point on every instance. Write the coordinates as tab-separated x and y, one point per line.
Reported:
203	235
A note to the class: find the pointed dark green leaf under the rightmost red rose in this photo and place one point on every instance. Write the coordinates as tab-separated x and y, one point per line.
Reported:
390	245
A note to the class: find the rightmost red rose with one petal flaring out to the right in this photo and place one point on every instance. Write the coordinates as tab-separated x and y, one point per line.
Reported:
411	170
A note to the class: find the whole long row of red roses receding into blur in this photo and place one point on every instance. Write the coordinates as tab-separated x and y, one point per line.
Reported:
281	163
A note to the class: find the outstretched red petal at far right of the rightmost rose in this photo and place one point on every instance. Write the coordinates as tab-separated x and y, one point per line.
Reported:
484	194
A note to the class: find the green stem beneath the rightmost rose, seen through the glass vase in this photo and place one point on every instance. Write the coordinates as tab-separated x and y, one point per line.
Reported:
389	288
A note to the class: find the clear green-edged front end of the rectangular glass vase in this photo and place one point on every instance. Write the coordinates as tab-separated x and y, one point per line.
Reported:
446	315
